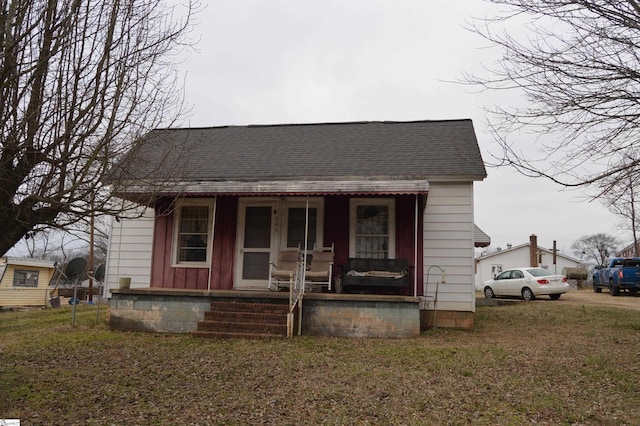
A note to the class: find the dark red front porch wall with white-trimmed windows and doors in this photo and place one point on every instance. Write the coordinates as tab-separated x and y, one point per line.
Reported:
239	237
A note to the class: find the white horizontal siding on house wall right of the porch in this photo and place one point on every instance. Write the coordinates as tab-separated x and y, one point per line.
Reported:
448	243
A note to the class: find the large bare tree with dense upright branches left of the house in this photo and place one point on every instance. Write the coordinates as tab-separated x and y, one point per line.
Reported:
80	81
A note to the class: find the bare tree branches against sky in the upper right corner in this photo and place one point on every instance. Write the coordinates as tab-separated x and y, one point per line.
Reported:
577	65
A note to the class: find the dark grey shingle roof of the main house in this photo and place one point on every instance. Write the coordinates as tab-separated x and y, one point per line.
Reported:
369	150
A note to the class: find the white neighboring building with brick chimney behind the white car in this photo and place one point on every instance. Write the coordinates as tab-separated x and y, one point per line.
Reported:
528	254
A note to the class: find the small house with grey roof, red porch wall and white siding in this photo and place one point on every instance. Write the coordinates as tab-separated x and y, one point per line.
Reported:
222	202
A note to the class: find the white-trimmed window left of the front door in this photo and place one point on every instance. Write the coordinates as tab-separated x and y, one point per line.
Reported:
193	228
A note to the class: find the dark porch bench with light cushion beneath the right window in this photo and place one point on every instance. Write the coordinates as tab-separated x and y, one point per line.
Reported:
372	274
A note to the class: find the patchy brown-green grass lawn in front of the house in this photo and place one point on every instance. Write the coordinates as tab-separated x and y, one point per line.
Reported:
531	363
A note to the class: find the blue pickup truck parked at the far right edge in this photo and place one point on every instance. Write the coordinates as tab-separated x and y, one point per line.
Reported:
619	274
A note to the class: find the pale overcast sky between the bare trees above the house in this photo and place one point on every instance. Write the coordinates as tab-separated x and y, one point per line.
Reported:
275	62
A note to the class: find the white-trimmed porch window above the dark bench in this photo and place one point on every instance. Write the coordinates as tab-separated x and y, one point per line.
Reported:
372	228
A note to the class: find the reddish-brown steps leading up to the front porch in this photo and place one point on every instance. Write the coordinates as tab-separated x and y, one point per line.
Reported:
230	320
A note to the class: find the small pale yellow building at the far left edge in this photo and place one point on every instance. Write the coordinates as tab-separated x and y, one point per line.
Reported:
25	281
